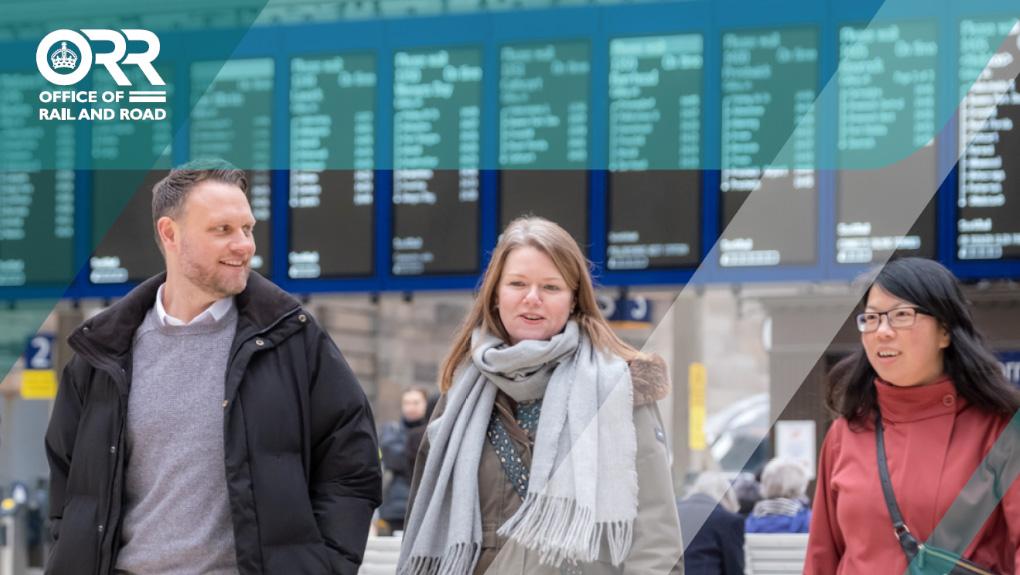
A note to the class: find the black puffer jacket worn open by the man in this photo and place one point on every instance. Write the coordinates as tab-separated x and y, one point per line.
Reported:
301	455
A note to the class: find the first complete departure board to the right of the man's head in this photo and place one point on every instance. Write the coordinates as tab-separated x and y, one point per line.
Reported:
333	187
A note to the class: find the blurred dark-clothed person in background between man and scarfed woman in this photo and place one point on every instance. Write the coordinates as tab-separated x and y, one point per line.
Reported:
398	456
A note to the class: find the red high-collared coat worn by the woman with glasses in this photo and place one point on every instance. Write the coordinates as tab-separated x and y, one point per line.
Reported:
935	441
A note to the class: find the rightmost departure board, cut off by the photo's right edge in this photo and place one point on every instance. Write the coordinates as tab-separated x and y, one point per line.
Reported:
989	200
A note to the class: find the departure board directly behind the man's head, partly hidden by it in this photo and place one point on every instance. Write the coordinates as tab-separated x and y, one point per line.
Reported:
232	120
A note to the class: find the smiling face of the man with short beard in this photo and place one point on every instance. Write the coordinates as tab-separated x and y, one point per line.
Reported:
215	240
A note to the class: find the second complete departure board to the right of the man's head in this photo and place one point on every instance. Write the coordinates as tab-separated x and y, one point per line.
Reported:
437	156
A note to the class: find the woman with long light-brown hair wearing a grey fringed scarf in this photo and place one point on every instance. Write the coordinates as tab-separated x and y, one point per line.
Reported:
546	454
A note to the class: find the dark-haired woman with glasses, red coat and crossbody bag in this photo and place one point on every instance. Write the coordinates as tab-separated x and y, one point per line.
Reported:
926	391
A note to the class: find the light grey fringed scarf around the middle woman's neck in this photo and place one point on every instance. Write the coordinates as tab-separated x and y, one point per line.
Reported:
584	482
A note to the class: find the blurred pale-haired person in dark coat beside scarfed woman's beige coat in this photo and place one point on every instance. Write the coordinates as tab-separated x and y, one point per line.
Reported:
713	530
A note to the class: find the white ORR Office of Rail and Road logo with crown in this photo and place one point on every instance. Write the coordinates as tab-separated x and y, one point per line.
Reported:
66	58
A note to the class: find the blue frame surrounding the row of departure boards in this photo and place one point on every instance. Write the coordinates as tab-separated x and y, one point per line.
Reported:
488	32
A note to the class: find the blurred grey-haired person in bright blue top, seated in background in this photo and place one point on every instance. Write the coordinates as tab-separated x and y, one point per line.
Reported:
786	508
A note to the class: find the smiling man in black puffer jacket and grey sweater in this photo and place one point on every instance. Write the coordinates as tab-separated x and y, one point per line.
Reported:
207	425
